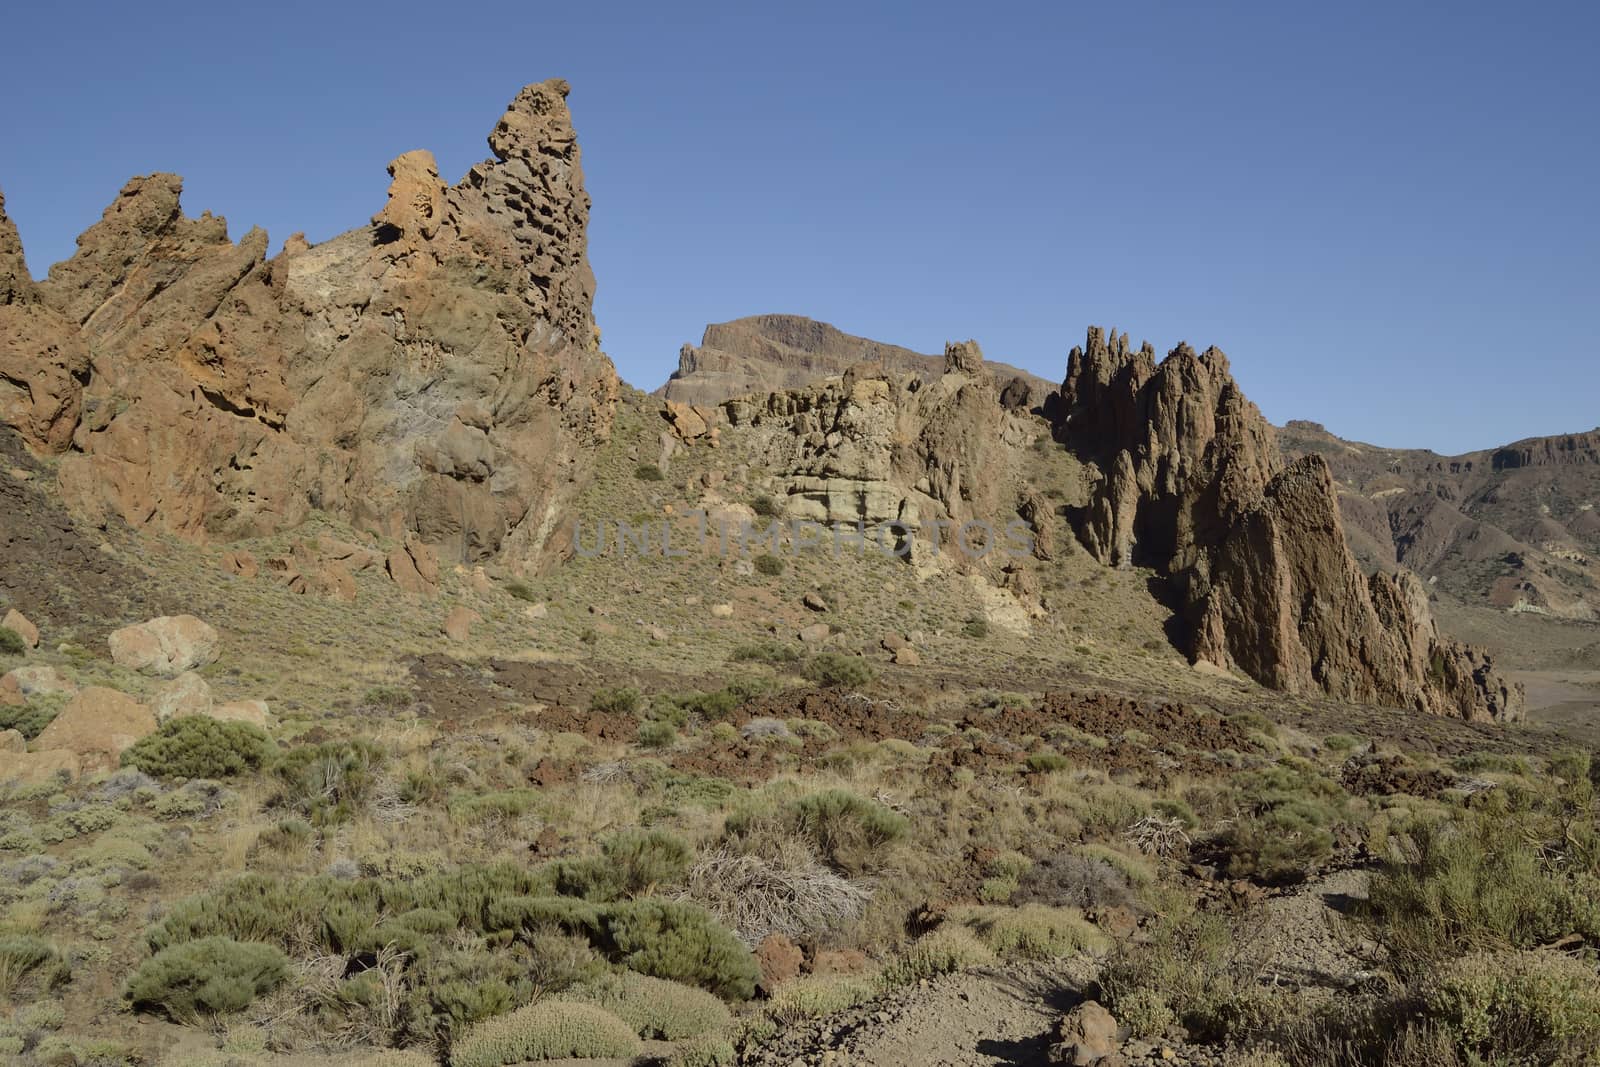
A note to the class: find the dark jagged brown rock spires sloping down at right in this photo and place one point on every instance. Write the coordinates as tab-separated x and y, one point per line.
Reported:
1191	482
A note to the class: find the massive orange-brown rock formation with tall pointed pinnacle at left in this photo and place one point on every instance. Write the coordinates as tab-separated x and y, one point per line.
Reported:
433	374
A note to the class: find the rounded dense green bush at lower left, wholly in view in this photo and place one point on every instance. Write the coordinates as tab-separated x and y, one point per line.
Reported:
206	978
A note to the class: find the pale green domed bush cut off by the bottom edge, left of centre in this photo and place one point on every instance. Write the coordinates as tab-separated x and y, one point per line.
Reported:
545	1031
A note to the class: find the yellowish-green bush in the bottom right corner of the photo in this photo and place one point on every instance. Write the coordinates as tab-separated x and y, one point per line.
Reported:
1518	1007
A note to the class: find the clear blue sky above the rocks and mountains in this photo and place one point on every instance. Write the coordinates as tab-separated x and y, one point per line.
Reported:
1385	214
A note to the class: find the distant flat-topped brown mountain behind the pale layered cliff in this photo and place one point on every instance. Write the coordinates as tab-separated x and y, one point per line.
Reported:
764	354
